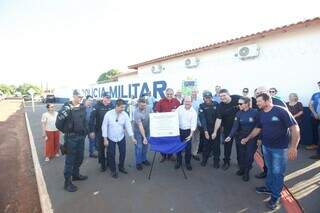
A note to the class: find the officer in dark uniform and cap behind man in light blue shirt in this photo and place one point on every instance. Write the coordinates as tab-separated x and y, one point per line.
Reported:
96	119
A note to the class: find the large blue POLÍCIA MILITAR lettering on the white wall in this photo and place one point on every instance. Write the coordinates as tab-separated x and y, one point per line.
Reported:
127	90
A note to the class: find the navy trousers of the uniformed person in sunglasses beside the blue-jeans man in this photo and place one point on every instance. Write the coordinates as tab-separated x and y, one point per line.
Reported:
246	153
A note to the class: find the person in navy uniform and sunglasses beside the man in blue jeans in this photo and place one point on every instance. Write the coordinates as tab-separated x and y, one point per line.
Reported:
243	124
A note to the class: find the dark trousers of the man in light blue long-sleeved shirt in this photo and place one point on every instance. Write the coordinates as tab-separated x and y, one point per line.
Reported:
112	153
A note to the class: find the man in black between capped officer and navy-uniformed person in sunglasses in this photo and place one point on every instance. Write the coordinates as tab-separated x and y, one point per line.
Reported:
228	110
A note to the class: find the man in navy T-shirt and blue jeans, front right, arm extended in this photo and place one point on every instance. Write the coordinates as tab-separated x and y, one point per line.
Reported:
275	124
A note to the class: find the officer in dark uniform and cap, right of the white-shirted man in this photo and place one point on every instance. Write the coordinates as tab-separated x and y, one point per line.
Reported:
210	119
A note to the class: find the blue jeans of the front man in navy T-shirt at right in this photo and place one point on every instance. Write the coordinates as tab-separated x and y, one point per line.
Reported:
276	161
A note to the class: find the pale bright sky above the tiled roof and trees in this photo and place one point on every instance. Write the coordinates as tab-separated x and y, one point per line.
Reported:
71	42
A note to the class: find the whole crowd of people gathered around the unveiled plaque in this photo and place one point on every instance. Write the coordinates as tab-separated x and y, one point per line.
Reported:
205	123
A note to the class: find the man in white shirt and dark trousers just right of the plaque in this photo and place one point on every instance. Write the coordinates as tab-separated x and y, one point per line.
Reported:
187	126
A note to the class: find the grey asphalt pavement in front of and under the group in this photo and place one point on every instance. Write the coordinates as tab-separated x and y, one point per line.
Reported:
205	191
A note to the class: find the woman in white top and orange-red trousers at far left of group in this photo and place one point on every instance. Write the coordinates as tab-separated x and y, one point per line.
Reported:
51	134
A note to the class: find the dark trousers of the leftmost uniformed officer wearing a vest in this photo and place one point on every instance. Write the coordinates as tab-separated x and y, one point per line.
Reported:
74	157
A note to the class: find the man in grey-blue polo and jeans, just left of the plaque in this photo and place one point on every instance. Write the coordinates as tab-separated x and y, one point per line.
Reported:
141	129
